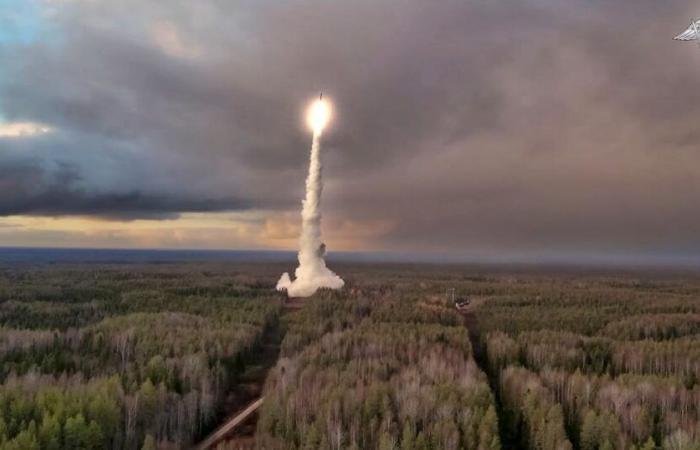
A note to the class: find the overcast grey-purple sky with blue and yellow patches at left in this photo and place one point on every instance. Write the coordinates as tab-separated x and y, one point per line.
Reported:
475	128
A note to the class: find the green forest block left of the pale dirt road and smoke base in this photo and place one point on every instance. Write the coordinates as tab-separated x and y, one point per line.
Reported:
123	357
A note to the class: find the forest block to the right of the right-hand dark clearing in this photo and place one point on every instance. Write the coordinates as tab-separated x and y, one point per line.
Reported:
596	363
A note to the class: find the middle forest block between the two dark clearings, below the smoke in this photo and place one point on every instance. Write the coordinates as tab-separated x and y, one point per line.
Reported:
378	367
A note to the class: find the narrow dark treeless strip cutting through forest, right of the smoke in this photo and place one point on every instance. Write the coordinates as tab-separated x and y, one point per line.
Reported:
471	322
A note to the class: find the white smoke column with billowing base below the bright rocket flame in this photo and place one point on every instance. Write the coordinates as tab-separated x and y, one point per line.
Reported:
312	272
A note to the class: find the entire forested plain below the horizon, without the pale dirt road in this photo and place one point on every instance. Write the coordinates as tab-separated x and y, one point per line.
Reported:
158	355
